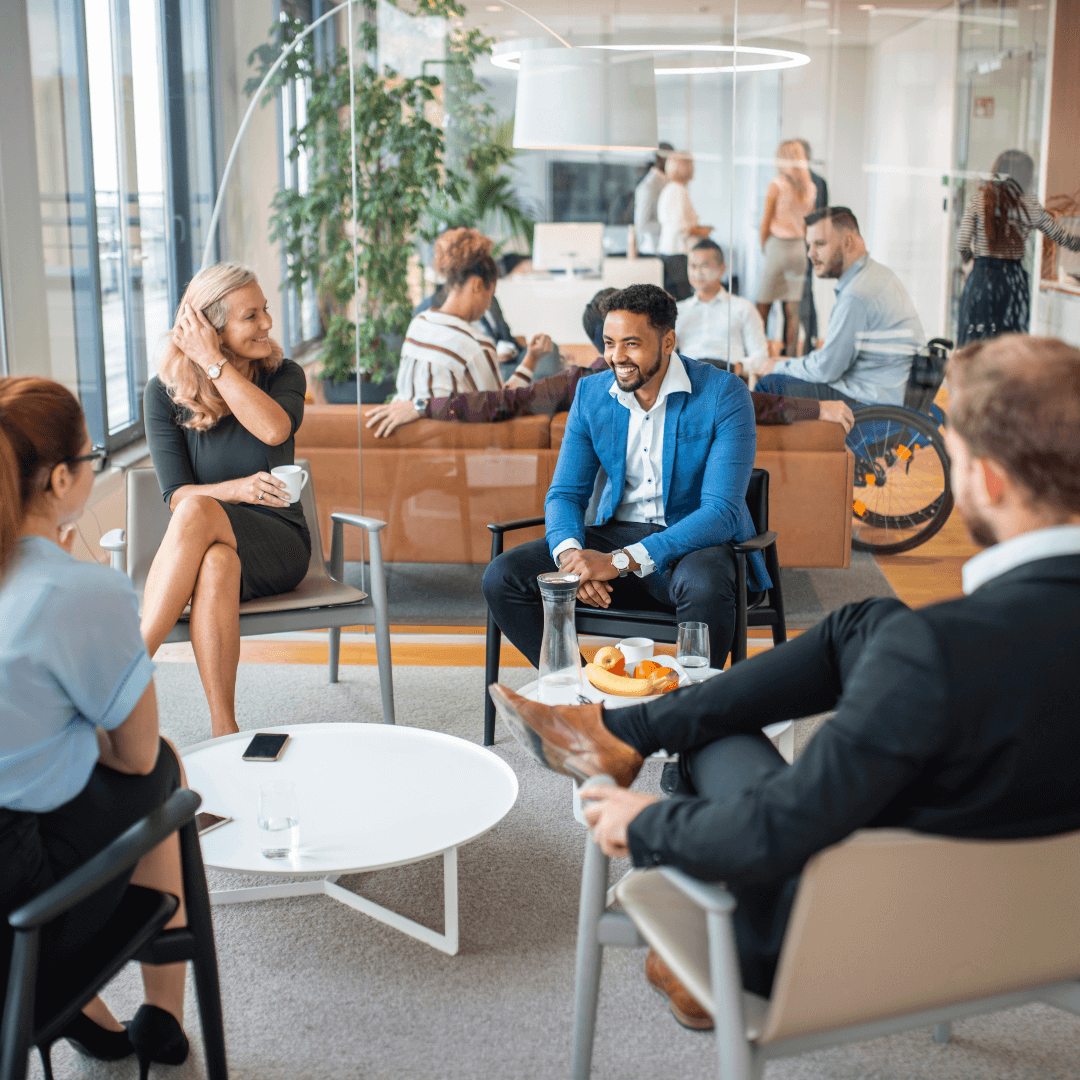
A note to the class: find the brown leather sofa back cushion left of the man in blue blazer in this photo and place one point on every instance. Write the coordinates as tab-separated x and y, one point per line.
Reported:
335	426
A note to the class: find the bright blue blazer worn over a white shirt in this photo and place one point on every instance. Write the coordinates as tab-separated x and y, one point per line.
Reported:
710	441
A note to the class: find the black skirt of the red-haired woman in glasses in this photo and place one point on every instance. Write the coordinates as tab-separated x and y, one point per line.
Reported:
37	850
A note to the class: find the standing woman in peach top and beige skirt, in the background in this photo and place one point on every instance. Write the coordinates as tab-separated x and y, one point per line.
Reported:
790	198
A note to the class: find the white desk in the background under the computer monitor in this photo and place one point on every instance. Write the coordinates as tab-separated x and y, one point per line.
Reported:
553	304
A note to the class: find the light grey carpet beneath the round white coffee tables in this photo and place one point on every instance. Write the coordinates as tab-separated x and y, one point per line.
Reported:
316	990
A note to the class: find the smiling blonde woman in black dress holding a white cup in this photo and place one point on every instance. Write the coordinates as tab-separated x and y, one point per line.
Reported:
220	416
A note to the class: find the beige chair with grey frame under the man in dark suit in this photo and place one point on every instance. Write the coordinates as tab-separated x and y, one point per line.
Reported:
890	931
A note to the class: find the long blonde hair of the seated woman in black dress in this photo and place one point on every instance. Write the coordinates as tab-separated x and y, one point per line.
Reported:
188	385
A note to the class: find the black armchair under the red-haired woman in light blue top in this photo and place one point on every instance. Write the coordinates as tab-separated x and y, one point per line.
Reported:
36	1016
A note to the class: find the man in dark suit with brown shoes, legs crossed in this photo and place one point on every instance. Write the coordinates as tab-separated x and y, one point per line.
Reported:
957	720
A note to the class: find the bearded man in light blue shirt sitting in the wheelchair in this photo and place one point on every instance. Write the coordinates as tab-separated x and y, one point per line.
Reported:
873	331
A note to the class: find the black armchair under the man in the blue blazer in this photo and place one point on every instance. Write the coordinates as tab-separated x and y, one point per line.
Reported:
752	609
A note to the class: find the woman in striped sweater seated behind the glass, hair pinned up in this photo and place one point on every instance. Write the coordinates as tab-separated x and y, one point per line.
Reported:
443	355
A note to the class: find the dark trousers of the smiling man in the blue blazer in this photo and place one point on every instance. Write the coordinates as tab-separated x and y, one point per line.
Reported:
700	587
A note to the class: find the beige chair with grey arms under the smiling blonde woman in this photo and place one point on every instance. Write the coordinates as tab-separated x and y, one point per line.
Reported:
322	601
